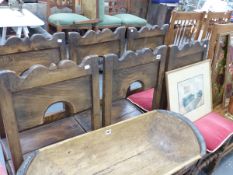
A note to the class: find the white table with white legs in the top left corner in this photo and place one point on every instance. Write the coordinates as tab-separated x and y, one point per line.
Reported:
18	21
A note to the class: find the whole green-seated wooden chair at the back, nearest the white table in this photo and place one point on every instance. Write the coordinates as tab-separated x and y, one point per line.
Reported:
63	20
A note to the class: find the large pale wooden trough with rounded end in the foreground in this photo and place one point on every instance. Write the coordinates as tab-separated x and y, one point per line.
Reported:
137	143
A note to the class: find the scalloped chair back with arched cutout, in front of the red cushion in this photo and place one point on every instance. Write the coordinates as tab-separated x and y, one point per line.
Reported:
142	66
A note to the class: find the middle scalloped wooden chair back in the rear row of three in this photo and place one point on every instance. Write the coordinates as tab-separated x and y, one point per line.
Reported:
96	43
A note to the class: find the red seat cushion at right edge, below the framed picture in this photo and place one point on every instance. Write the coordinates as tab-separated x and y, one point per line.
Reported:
215	129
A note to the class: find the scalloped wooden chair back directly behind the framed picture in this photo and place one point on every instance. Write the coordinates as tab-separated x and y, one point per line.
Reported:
180	57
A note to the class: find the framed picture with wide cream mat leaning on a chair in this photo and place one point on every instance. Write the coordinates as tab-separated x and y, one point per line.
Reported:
189	90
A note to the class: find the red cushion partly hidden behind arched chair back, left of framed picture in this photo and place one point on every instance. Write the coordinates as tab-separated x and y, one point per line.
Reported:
143	99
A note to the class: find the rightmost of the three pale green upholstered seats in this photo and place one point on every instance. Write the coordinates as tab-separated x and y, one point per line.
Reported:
131	20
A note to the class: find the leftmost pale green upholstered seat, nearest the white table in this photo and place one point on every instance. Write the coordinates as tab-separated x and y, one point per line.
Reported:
66	19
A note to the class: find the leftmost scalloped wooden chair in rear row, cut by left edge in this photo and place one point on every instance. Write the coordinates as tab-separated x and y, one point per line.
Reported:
20	54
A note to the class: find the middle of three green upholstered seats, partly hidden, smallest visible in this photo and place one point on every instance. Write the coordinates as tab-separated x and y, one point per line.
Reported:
108	21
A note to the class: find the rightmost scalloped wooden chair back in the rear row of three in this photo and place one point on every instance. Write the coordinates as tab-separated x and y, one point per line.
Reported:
146	37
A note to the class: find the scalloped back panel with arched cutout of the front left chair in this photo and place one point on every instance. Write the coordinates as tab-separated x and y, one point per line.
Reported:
40	87
